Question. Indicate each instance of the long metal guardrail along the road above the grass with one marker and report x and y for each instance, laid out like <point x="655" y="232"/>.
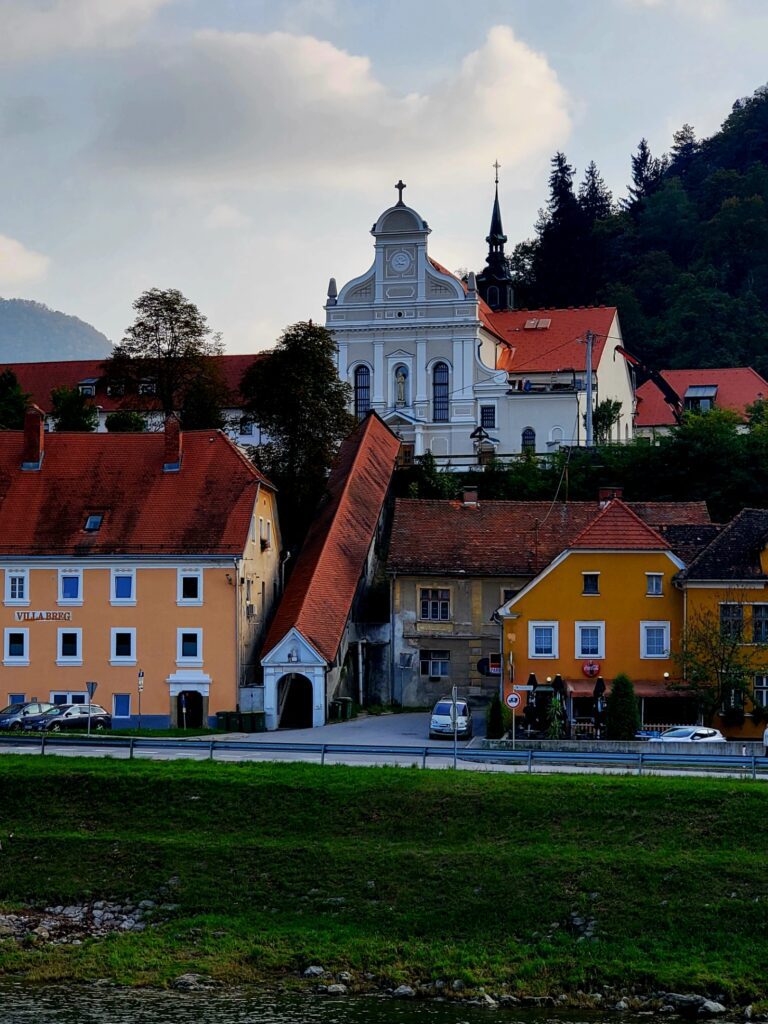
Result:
<point x="527" y="760"/>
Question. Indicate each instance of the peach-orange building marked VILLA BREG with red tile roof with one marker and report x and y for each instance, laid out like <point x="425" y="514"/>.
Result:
<point x="151" y="556"/>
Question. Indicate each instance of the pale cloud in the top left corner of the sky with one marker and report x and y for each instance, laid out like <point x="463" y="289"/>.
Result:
<point x="37" y="28"/>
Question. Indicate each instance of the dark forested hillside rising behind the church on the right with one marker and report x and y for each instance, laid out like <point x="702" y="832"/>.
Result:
<point x="685" y="255"/>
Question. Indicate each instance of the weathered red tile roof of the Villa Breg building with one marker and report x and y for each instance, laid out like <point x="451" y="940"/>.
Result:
<point x="203" y="509"/>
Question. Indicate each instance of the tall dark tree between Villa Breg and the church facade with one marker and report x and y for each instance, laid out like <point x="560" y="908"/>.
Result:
<point x="296" y="398"/>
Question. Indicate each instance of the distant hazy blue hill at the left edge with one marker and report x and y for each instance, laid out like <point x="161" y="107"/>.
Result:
<point x="31" y="332"/>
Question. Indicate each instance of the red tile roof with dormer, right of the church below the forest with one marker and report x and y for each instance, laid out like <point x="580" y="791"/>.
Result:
<point x="738" y="389"/>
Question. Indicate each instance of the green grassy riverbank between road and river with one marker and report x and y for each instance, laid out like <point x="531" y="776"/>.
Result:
<point x="441" y="875"/>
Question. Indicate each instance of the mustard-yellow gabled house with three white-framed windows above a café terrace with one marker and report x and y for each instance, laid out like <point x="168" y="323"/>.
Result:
<point x="606" y="606"/>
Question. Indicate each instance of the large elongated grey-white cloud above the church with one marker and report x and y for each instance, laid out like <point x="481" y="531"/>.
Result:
<point x="271" y="109"/>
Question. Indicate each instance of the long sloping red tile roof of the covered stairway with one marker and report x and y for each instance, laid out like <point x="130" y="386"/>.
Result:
<point x="323" y="586"/>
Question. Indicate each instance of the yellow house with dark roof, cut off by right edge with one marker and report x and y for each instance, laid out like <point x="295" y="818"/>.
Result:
<point x="726" y="591"/>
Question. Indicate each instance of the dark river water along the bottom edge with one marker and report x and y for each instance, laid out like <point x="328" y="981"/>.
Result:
<point x="90" y="1005"/>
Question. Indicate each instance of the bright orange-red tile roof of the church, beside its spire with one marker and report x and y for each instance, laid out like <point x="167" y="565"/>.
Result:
<point x="559" y="347"/>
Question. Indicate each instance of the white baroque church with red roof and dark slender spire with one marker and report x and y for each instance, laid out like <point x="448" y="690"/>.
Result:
<point x="453" y="368"/>
